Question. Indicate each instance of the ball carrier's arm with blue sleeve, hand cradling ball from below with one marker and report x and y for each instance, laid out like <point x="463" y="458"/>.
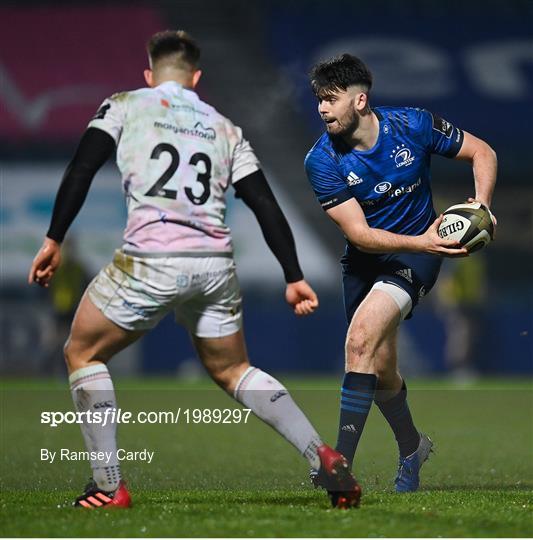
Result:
<point x="338" y="202"/>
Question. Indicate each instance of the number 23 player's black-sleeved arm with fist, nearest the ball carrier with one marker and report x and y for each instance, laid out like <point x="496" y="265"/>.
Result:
<point x="254" y="190"/>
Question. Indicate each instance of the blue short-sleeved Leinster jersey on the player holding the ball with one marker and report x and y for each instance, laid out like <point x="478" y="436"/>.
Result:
<point x="391" y="181"/>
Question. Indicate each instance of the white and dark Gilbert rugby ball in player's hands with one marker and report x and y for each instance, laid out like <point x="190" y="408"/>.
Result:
<point x="467" y="223"/>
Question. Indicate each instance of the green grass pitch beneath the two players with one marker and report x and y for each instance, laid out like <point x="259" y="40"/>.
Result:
<point x="244" y="480"/>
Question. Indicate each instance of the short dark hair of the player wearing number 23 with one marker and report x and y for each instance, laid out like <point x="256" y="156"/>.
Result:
<point x="176" y="47"/>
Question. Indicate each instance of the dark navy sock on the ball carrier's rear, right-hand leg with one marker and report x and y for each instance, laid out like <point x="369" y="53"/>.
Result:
<point x="397" y="413"/>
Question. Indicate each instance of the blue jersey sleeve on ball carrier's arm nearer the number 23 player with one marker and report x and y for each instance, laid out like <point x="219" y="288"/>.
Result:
<point x="325" y="178"/>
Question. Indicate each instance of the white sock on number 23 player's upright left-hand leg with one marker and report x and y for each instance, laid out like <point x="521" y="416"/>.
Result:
<point x="92" y="390"/>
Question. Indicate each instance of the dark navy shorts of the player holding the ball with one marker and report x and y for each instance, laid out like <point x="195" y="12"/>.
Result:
<point x="415" y="273"/>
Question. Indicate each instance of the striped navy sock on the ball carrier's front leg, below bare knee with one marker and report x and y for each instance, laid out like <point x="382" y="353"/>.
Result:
<point x="357" y="394"/>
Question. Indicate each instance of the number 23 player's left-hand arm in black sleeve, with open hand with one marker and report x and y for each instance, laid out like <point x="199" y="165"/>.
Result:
<point x="95" y="148"/>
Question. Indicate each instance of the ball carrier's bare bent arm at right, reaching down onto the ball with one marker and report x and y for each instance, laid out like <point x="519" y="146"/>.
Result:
<point x="484" y="165"/>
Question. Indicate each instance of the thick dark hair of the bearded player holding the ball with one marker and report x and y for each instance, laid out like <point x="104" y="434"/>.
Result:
<point x="338" y="73"/>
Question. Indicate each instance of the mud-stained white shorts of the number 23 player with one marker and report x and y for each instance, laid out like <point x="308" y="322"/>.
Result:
<point x="137" y="292"/>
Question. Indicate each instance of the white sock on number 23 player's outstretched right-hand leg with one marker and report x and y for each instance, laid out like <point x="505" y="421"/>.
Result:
<point x="270" y="401"/>
